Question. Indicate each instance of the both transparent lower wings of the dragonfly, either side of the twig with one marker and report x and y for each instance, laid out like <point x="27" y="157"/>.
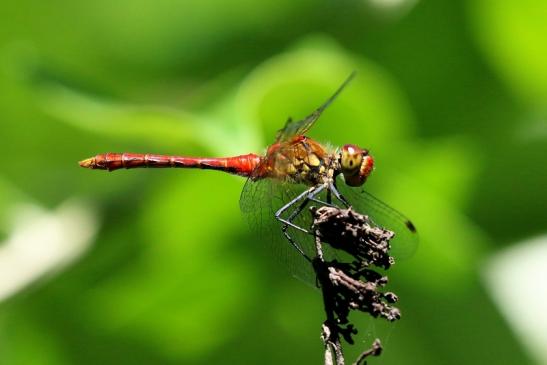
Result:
<point x="262" y="198"/>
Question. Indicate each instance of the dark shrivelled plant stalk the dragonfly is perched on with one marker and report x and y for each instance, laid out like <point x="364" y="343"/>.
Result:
<point x="354" y="285"/>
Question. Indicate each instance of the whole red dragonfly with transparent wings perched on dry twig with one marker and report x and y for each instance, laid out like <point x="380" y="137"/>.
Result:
<point x="294" y="172"/>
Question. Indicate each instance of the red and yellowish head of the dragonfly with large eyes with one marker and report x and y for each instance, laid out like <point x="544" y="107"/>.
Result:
<point x="356" y="164"/>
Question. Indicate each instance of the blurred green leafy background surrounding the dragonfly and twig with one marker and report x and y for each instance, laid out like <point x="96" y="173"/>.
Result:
<point x="158" y="267"/>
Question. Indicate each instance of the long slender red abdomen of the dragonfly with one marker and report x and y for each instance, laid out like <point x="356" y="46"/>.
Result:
<point x="240" y="165"/>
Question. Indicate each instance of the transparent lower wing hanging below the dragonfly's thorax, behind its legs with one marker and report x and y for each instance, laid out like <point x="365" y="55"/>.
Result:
<point x="259" y="202"/>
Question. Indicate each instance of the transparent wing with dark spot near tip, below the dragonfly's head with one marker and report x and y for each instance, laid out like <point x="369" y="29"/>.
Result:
<point x="405" y="242"/>
